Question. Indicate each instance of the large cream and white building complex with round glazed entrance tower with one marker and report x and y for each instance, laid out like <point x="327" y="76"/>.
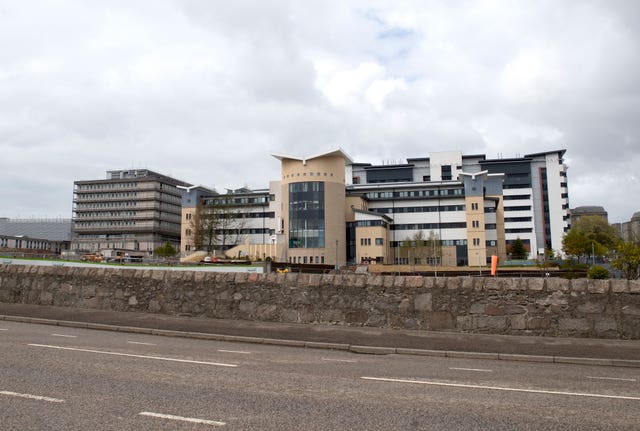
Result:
<point x="446" y="209"/>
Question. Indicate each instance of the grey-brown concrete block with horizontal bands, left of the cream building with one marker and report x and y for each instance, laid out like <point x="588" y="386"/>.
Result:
<point x="135" y="210"/>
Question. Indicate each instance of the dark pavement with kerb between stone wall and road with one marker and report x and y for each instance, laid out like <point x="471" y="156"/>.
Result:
<point x="587" y="351"/>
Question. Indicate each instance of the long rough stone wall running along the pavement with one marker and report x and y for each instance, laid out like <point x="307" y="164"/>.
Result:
<point x="535" y="306"/>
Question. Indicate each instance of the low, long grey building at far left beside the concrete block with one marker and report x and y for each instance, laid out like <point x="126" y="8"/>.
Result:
<point x="34" y="236"/>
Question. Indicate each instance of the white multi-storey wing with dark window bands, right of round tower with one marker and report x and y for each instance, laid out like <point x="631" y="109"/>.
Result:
<point x="533" y="198"/>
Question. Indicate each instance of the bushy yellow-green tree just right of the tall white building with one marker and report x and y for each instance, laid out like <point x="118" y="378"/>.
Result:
<point x="590" y="236"/>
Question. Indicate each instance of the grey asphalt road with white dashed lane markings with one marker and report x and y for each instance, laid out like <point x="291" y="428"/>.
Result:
<point x="56" y="378"/>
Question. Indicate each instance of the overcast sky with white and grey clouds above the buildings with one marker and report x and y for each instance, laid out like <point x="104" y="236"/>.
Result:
<point x="206" y="90"/>
